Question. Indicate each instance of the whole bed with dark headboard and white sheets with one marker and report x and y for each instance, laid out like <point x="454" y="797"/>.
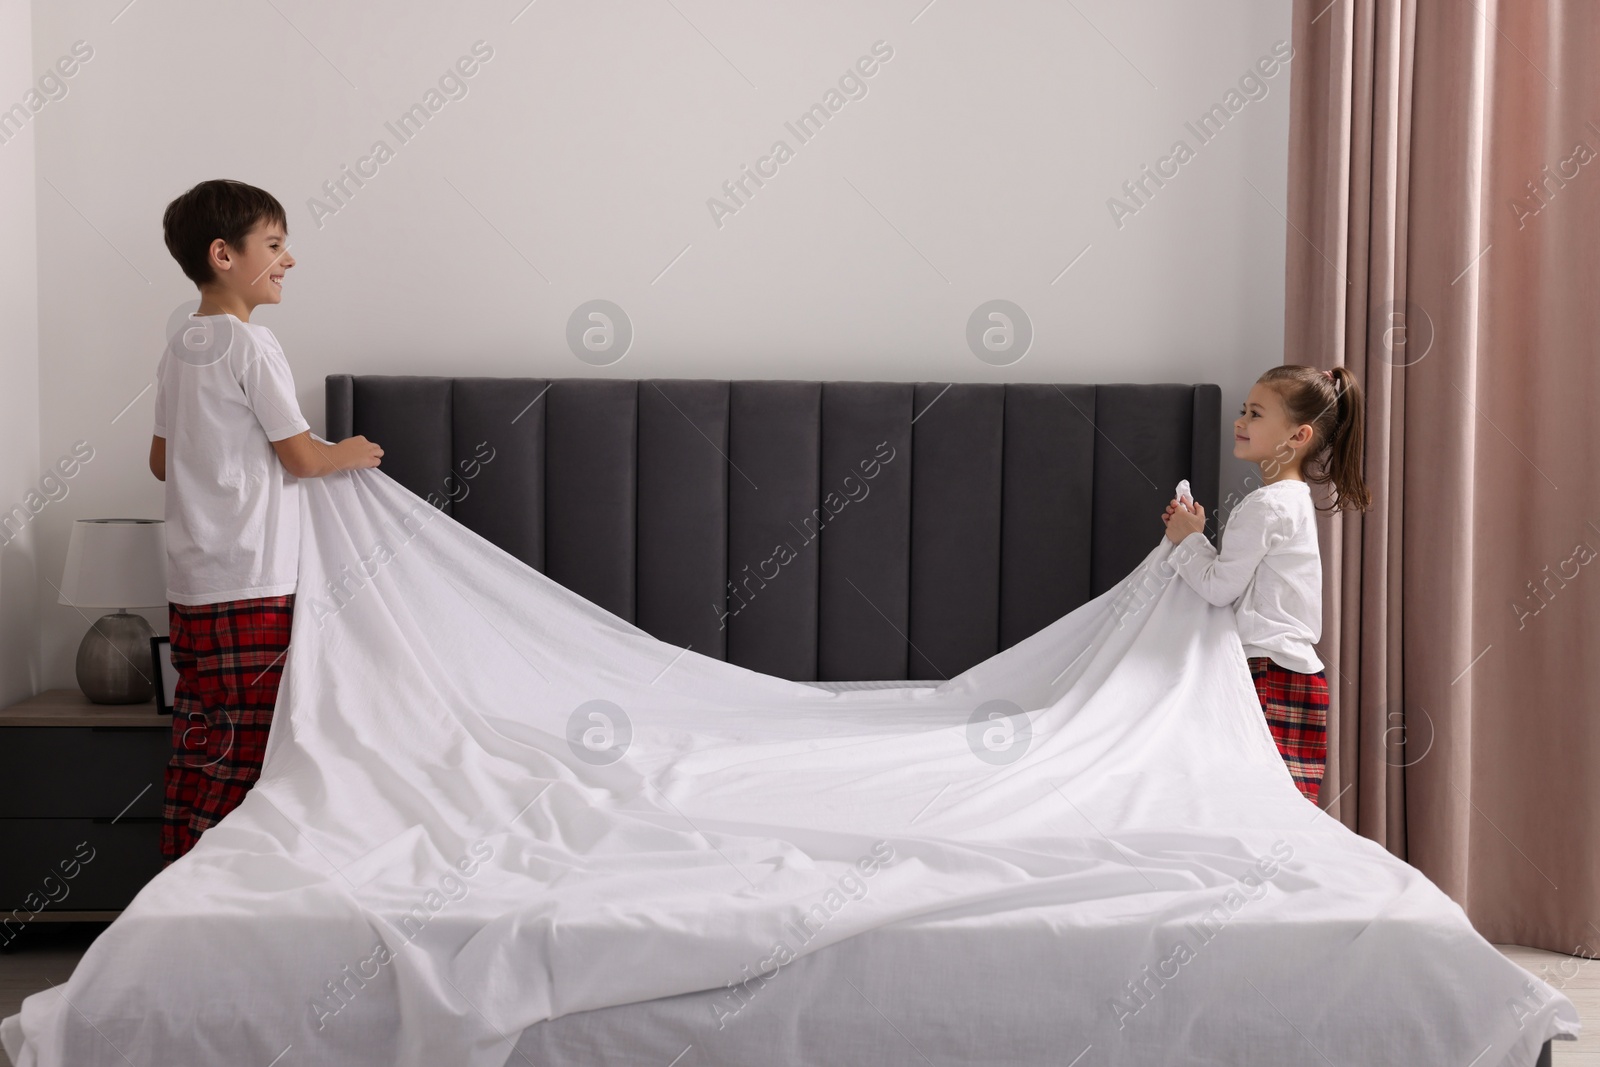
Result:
<point x="876" y="801"/>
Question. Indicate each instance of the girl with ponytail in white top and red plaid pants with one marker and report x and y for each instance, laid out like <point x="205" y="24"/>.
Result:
<point x="1300" y="425"/>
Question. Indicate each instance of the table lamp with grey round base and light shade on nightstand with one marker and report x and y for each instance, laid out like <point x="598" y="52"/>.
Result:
<point x="116" y="564"/>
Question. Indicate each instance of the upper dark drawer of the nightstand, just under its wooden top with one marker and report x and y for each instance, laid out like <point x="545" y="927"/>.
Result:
<point x="82" y="772"/>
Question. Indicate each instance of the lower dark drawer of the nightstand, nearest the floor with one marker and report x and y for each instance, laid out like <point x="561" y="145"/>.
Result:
<point x="76" y="865"/>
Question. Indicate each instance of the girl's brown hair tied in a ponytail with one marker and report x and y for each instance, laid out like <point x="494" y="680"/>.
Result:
<point x="1337" y="412"/>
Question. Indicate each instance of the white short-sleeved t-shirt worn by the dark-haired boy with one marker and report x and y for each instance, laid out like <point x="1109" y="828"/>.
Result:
<point x="223" y="394"/>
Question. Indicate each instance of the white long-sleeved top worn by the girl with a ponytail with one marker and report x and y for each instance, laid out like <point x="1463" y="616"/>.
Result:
<point x="1270" y="570"/>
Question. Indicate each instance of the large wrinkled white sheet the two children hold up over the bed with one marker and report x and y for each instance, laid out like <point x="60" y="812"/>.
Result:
<point x="434" y="857"/>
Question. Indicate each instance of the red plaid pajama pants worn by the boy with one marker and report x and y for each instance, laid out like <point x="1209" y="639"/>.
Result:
<point x="228" y="658"/>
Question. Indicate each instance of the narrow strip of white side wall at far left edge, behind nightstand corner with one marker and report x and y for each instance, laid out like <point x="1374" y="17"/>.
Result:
<point x="20" y="474"/>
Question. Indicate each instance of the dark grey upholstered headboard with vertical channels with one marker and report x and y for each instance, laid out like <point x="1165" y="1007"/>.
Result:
<point x="959" y="519"/>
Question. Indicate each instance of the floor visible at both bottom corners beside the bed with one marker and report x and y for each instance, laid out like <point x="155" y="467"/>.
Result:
<point x="54" y="949"/>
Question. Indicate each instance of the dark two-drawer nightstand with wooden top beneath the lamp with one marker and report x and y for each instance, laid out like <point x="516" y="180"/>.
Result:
<point x="81" y="807"/>
